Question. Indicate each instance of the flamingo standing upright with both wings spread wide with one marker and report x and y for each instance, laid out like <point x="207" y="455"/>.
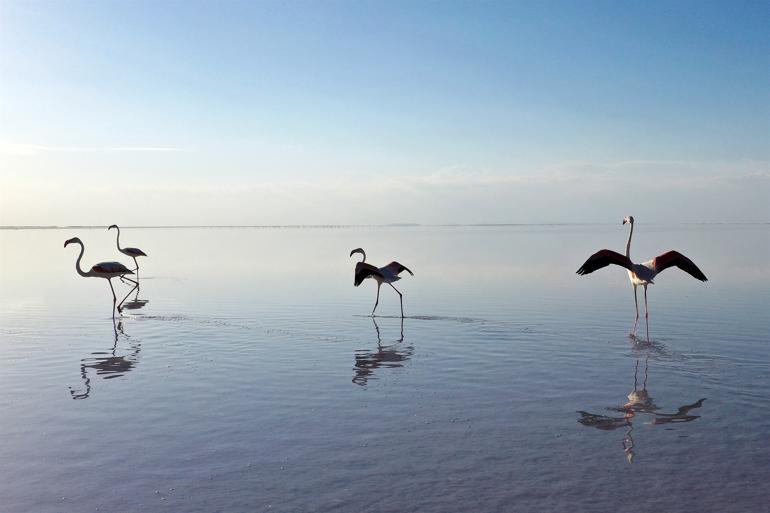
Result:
<point x="641" y="274"/>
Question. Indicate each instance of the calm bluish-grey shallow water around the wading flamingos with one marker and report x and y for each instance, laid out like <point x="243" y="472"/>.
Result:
<point x="247" y="377"/>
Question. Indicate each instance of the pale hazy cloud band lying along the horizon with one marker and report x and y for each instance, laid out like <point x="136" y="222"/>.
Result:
<point x="704" y="191"/>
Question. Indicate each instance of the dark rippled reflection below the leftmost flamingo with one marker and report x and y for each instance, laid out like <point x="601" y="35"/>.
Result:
<point x="108" y="364"/>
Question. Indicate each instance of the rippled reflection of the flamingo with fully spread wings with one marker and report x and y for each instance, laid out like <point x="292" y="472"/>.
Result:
<point x="640" y="407"/>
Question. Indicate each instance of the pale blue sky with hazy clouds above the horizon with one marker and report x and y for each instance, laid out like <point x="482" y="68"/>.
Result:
<point x="375" y="112"/>
